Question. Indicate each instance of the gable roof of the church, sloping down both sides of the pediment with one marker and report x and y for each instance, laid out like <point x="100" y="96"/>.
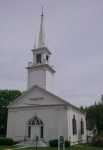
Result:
<point x="45" y="91"/>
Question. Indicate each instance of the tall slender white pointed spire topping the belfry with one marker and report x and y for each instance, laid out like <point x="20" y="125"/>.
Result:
<point x="41" y="41"/>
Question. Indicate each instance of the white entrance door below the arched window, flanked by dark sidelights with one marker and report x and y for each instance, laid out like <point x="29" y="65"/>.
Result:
<point x="35" y="131"/>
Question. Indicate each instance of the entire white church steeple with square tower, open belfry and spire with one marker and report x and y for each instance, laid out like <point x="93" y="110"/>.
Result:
<point x="40" y="71"/>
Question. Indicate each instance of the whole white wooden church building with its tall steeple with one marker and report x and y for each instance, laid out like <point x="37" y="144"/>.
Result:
<point x="39" y="111"/>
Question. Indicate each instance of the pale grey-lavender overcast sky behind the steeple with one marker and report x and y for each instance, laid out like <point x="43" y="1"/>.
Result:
<point x="74" y="31"/>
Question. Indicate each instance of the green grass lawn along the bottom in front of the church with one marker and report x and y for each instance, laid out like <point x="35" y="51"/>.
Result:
<point x="76" y="147"/>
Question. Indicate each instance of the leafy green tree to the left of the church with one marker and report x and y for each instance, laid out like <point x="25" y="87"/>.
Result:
<point x="6" y="96"/>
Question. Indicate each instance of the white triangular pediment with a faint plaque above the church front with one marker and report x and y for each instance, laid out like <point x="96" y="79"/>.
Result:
<point x="36" y="96"/>
